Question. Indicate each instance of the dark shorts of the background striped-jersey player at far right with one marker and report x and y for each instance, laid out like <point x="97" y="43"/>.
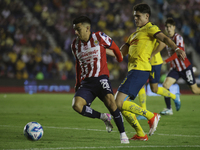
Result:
<point x="186" y="74"/>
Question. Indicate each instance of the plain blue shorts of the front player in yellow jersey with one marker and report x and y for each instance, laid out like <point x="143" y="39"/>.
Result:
<point x="134" y="82"/>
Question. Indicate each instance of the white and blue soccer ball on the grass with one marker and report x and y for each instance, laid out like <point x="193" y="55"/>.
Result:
<point x="33" y="131"/>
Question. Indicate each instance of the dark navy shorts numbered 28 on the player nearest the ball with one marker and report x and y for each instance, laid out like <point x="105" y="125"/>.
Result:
<point x="93" y="87"/>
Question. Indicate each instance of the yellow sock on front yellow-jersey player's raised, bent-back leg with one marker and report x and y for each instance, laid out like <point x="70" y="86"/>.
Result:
<point x="136" y="109"/>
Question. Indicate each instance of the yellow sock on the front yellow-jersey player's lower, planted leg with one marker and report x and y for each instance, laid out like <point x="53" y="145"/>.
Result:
<point x="132" y="120"/>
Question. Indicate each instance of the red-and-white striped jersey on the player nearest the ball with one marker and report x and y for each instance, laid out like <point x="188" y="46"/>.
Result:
<point x="90" y="56"/>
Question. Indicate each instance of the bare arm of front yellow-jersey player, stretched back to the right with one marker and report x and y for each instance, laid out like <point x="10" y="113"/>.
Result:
<point x="162" y="37"/>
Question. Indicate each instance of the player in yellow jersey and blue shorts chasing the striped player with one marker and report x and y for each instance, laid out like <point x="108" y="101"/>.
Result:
<point x="139" y="47"/>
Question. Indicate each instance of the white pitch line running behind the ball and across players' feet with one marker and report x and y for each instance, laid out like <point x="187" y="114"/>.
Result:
<point x="68" y="128"/>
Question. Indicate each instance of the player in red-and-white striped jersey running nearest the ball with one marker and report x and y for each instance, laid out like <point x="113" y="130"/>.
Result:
<point x="92" y="74"/>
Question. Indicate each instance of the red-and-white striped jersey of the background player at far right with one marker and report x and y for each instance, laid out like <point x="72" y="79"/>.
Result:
<point x="175" y="62"/>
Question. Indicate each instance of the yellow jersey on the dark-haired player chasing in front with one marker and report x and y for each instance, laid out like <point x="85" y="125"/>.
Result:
<point x="141" y="44"/>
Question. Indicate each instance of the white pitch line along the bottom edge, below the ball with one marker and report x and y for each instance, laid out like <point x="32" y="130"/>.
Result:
<point x="106" y="147"/>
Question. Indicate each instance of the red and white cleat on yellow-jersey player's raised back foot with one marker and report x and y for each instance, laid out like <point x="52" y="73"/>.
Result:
<point x="153" y="123"/>
